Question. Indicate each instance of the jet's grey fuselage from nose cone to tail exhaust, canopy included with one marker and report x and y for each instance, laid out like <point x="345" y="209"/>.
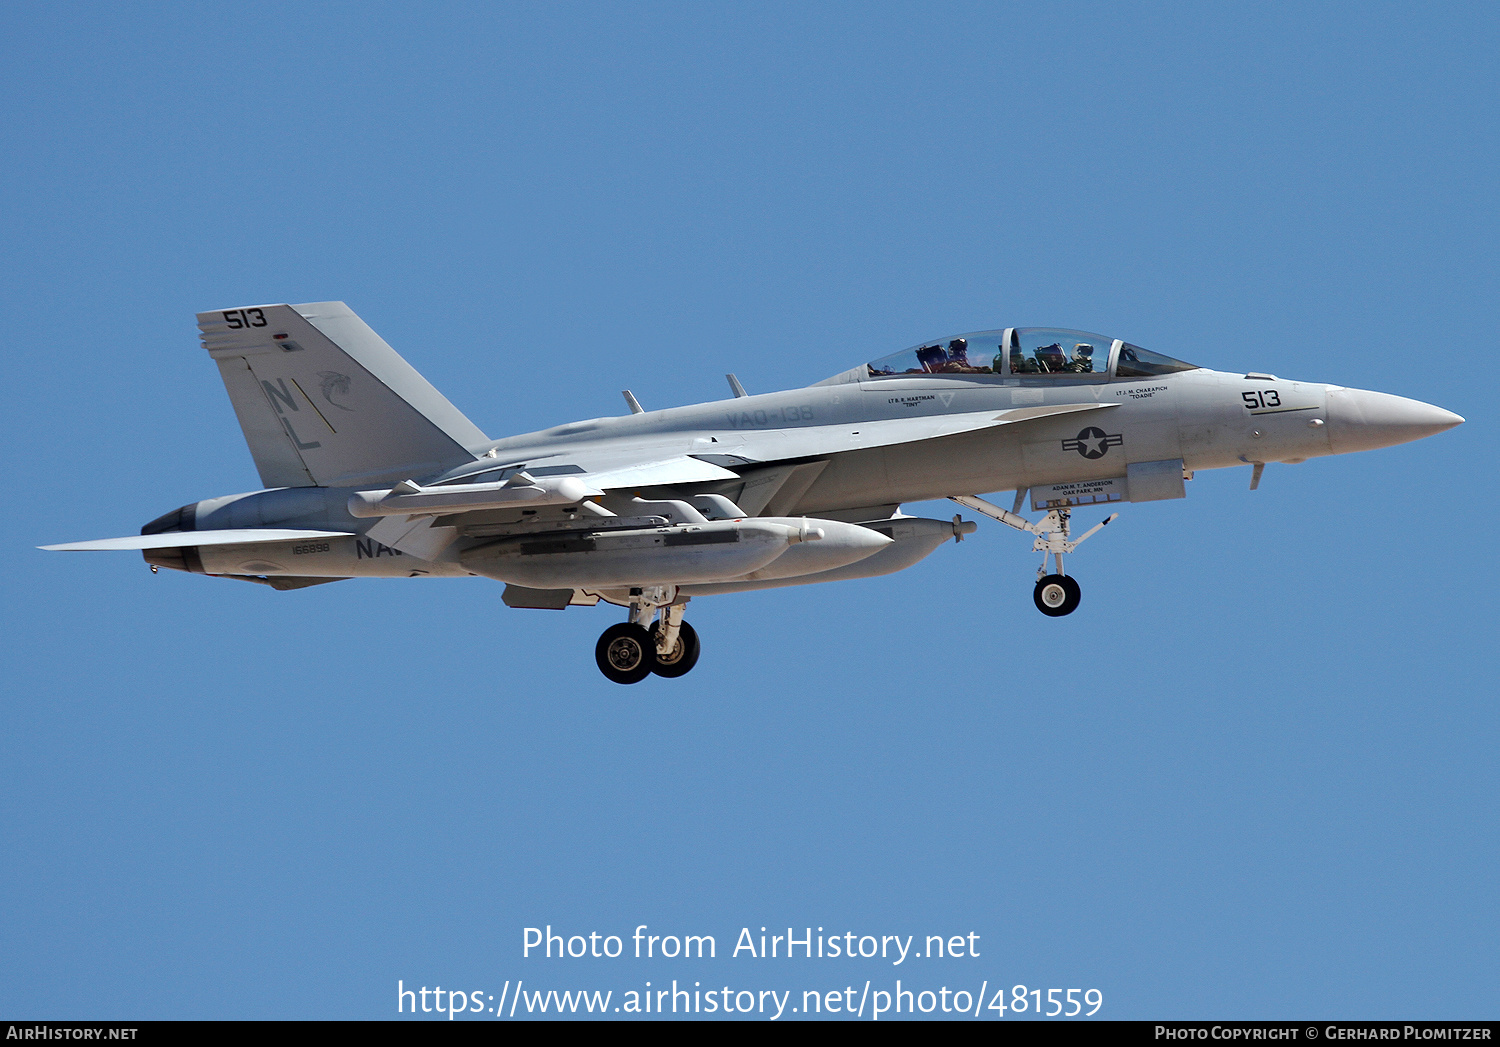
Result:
<point x="1117" y="424"/>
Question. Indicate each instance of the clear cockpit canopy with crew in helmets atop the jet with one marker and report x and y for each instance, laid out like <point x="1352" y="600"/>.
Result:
<point x="1043" y="352"/>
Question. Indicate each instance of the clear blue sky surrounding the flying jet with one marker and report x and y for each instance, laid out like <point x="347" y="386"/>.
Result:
<point x="1253" y="776"/>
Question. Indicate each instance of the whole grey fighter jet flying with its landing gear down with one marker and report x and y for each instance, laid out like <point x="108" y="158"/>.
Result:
<point x="371" y="472"/>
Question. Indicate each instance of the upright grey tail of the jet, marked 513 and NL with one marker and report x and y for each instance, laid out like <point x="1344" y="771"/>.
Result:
<point x="323" y="401"/>
